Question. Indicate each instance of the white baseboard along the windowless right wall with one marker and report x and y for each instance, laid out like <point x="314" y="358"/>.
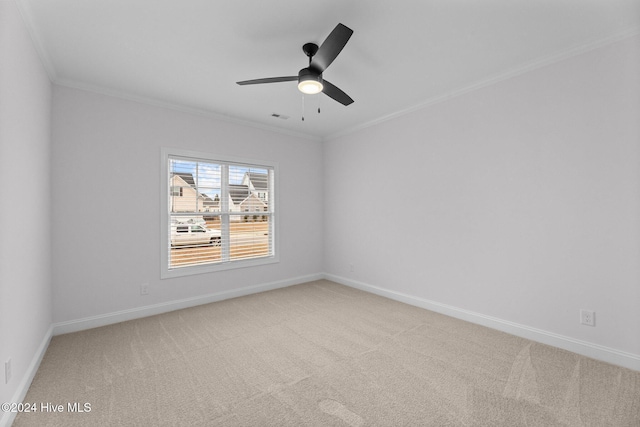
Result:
<point x="584" y="348"/>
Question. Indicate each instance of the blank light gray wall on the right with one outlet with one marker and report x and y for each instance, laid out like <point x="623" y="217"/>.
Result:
<point x="519" y="201"/>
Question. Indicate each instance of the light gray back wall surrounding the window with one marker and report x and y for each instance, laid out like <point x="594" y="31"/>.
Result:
<point x="106" y="202"/>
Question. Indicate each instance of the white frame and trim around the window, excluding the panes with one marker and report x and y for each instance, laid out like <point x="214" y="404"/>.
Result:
<point x="165" y="218"/>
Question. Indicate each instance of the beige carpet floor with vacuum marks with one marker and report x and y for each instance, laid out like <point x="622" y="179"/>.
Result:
<point x="321" y="354"/>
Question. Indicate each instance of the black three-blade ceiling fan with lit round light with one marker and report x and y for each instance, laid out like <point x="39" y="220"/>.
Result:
<point x="310" y="79"/>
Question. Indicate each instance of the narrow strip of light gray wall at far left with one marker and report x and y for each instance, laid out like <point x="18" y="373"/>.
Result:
<point x="25" y="243"/>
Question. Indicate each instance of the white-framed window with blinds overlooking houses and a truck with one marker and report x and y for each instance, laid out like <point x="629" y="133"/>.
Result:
<point x="204" y="225"/>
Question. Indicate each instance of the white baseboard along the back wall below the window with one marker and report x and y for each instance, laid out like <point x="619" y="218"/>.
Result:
<point x="151" y="310"/>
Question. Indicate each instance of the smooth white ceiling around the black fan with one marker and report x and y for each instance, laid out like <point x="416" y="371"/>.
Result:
<point x="403" y="54"/>
